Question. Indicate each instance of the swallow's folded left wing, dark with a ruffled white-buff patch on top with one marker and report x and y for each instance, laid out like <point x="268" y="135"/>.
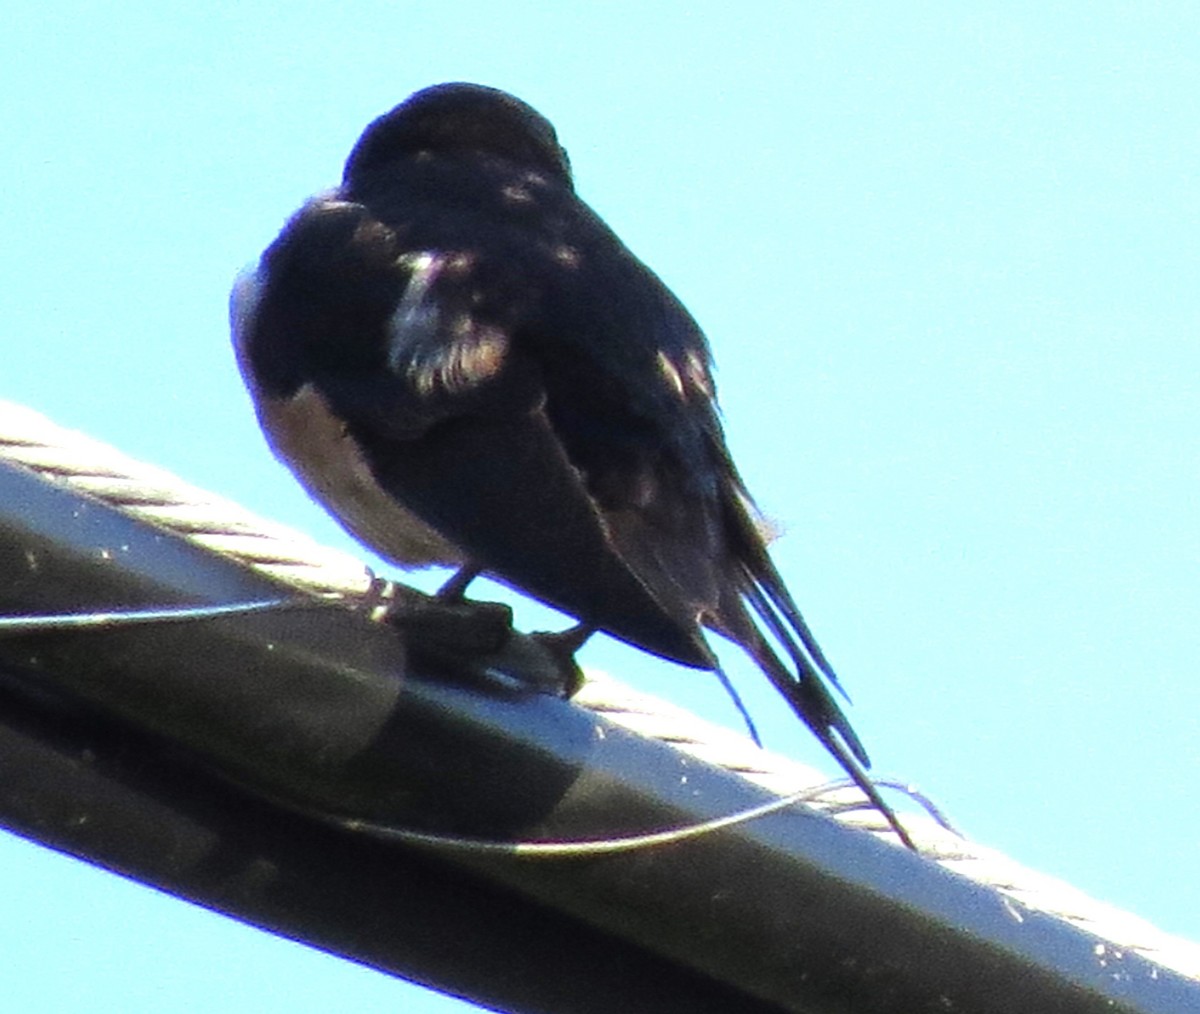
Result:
<point x="455" y="428"/>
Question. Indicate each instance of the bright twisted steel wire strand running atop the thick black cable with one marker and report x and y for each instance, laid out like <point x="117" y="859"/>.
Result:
<point x="95" y="470"/>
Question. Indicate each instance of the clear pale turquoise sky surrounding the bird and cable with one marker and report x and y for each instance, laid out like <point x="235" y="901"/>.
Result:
<point x="947" y="256"/>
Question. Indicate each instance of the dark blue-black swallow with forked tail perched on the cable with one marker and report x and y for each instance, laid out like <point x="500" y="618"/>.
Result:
<point x="467" y="368"/>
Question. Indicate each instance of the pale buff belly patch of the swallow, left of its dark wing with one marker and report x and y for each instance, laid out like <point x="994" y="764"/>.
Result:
<point x="329" y="463"/>
